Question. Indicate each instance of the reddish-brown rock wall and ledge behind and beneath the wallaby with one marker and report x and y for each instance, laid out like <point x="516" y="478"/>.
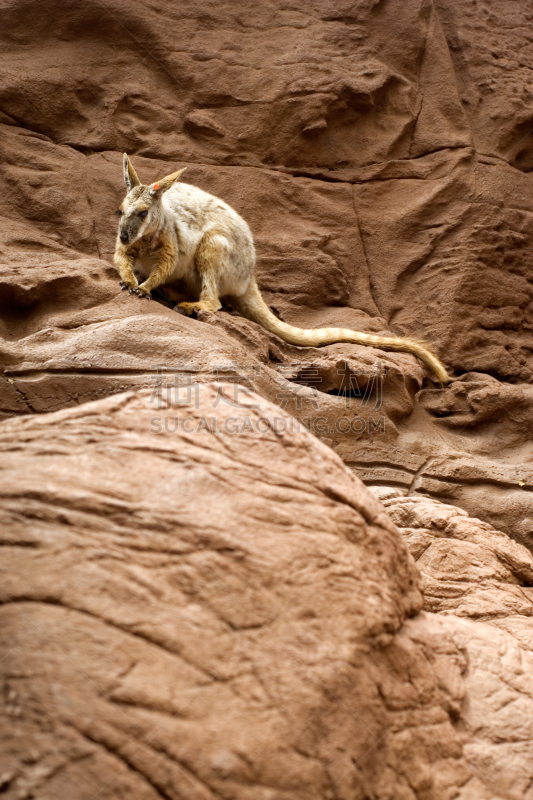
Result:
<point x="380" y="155"/>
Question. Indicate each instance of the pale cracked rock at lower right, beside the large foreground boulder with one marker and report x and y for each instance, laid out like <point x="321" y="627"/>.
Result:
<point x="483" y="583"/>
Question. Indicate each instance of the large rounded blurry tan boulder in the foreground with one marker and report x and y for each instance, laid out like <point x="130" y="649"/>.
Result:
<point x="217" y="612"/>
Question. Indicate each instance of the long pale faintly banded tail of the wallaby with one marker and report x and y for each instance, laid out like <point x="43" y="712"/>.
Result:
<point x="252" y="306"/>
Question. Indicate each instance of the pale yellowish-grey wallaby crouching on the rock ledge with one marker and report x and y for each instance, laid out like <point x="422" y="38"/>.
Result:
<point x="170" y="232"/>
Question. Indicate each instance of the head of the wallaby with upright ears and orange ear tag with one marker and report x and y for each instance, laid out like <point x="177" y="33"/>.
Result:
<point x="140" y="213"/>
